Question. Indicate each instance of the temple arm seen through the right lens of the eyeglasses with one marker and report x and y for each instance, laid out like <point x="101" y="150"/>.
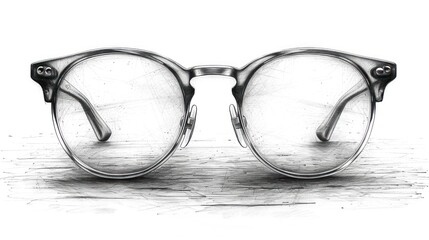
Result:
<point x="327" y="127"/>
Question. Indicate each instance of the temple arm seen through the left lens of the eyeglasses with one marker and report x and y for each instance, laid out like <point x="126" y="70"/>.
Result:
<point x="101" y="129"/>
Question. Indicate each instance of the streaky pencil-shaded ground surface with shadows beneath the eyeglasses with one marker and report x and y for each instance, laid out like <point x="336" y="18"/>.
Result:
<point x="211" y="176"/>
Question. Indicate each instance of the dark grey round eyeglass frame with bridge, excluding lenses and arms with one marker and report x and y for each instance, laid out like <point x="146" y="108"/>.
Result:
<point x="366" y="66"/>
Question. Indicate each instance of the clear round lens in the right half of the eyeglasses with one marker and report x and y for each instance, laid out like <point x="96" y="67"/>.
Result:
<point x="287" y="100"/>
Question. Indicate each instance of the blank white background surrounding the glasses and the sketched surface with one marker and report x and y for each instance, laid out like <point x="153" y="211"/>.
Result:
<point x="219" y="32"/>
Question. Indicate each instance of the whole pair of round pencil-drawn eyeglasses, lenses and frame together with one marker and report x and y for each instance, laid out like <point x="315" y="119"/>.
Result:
<point x="304" y="113"/>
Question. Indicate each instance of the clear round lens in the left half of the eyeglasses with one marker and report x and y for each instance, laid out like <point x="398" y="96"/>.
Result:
<point x="139" y="99"/>
